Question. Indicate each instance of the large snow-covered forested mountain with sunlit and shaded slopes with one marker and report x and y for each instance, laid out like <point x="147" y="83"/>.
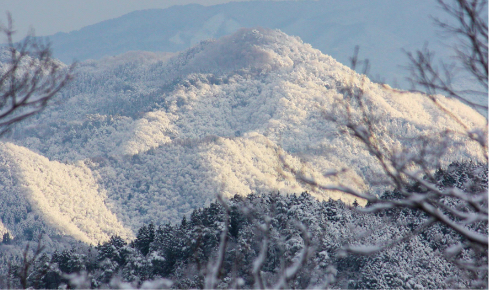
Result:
<point x="146" y="137"/>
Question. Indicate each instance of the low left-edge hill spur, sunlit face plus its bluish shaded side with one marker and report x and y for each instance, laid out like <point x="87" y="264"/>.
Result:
<point x="55" y="195"/>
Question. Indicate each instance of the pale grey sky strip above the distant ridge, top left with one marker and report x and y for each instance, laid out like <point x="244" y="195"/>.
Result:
<point x="51" y="16"/>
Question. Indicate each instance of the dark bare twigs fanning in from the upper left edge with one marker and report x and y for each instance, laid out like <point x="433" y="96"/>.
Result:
<point x="28" y="79"/>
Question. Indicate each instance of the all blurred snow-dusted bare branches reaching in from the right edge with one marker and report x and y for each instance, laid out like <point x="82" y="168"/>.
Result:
<point x="409" y="170"/>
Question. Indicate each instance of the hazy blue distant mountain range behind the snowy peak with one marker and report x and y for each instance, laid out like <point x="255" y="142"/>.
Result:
<point x="382" y="28"/>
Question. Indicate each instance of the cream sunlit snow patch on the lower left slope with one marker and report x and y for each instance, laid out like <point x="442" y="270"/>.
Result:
<point x="67" y="196"/>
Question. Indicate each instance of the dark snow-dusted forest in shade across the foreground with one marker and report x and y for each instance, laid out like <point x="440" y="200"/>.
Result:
<point x="301" y="235"/>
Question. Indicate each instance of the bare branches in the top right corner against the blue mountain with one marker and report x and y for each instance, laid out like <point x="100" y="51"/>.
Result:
<point x="468" y="25"/>
